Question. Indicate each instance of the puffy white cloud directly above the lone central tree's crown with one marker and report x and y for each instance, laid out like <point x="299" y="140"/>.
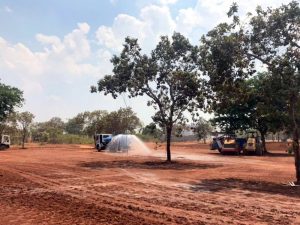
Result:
<point x="153" y="21"/>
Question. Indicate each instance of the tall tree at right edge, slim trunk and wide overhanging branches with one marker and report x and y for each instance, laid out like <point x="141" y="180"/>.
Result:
<point x="230" y="52"/>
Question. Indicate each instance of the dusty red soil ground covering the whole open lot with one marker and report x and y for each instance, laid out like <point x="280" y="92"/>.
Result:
<point x="70" y="184"/>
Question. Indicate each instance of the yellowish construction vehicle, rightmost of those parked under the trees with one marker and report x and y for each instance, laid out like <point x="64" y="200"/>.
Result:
<point x="254" y="144"/>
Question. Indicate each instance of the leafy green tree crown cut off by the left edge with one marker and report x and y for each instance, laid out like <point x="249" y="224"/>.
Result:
<point x="10" y="97"/>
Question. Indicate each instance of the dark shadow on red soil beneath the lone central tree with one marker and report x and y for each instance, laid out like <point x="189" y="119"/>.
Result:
<point x="161" y="165"/>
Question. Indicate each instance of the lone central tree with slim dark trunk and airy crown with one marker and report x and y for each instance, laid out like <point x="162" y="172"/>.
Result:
<point x="168" y="76"/>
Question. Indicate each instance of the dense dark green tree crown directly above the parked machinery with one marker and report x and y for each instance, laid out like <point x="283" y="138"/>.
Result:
<point x="261" y="108"/>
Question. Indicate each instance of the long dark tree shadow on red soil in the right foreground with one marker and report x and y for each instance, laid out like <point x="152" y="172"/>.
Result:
<point x="217" y="185"/>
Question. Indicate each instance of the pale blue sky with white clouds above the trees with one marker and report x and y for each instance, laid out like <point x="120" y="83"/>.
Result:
<point x="55" y="50"/>
